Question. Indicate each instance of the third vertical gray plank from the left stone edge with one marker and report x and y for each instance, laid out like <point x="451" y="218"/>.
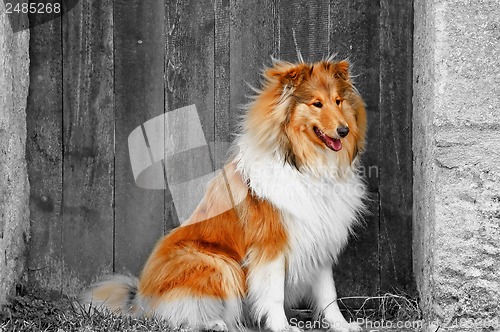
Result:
<point x="139" y="96"/>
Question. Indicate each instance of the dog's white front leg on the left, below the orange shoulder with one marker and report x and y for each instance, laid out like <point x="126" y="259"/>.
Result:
<point x="266" y="293"/>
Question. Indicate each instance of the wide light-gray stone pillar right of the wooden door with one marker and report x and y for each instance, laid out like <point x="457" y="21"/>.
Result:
<point x="456" y="158"/>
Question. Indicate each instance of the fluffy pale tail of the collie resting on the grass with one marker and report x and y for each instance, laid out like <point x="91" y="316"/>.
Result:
<point x="117" y="294"/>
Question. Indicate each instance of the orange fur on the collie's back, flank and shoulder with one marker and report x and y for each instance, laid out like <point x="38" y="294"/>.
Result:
<point x="205" y="258"/>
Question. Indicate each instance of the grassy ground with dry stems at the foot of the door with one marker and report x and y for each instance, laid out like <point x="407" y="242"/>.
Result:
<point x="35" y="312"/>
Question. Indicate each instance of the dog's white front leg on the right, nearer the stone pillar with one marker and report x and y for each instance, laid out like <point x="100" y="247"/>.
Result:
<point x="325" y="295"/>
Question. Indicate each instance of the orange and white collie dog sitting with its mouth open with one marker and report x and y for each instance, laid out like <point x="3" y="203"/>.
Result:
<point x="273" y="222"/>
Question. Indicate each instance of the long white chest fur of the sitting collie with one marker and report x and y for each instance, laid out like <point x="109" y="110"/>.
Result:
<point x="318" y="213"/>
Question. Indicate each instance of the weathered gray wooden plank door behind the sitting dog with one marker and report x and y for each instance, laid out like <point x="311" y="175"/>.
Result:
<point x="105" y="67"/>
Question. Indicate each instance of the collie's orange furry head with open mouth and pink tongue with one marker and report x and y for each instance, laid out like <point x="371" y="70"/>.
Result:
<point x="316" y="114"/>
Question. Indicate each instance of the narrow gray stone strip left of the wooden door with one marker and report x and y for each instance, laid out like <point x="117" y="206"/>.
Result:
<point x="14" y="188"/>
